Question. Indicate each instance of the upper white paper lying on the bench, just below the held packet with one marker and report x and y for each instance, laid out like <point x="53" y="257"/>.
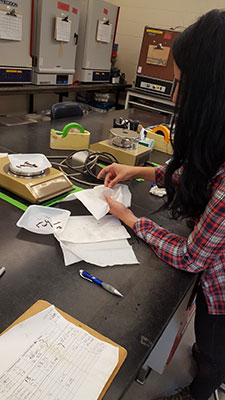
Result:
<point x="86" y="229"/>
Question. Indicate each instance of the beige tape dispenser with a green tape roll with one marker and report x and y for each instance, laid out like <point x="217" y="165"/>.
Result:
<point x="72" y="137"/>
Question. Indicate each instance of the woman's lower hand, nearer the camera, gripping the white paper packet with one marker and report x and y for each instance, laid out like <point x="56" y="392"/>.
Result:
<point x="120" y="211"/>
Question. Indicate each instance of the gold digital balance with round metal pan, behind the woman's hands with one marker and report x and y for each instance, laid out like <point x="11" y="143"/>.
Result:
<point x="124" y="145"/>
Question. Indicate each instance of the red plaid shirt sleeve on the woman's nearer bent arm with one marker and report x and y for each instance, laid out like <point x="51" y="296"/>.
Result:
<point x="203" y="246"/>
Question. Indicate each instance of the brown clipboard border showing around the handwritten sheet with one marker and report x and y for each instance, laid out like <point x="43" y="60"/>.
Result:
<point x="41" y="305"/>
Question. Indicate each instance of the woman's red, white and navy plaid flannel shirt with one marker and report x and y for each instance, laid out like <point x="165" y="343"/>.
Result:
<point x="203" y="250"/>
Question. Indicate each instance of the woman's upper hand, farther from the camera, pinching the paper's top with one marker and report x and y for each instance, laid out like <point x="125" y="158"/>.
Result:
<point x="115" y="173"/>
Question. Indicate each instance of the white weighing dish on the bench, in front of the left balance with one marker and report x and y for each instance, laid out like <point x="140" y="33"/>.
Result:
<point x="44" y="220"/>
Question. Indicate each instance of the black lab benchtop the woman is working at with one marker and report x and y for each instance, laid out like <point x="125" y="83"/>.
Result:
<point x="35" y="269"/>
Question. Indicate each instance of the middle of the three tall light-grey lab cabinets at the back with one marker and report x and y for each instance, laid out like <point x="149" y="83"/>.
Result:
<point x="55" y="35"/>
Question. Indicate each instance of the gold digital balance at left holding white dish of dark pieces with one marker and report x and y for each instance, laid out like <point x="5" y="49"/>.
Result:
<point x="35" y="181"/>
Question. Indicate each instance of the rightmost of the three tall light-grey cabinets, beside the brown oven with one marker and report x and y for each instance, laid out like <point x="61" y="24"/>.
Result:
<point x="98" y="21"/>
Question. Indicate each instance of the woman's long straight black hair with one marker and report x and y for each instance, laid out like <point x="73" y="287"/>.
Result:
<point x="199" y="132"/>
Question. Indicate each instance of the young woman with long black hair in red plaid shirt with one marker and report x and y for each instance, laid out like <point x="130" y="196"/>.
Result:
<point x="195" y="184"/>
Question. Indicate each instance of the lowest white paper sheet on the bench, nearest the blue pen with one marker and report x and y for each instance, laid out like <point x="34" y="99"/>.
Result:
<point x="103" y="254"/>
